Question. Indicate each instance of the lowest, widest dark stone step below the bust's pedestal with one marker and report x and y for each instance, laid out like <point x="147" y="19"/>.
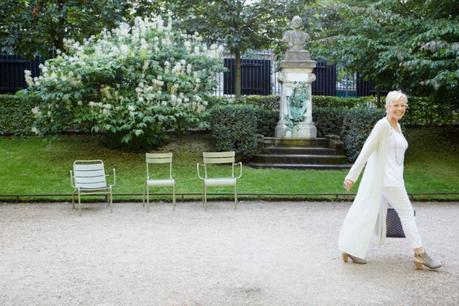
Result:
<point x="300" y="159"/>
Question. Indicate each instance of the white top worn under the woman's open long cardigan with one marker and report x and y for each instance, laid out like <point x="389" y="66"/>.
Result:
<point x="393" y="172"/>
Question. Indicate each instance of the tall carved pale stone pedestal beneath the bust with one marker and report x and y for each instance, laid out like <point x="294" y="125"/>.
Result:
<point x="296" y="69"/>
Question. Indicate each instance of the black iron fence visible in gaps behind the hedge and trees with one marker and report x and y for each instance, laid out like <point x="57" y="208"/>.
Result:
<point x="259" y="76"/>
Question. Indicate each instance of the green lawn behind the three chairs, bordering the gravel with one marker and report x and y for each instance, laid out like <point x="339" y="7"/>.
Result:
<point x="30" y="165"/>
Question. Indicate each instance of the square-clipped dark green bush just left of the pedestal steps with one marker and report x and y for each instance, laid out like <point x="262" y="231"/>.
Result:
<point x="234" y="128"/>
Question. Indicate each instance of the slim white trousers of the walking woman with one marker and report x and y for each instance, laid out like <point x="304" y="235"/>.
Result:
<point x="398" y="199"/>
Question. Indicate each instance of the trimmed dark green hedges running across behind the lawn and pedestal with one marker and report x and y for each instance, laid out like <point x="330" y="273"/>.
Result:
<point x="235" y="126"/>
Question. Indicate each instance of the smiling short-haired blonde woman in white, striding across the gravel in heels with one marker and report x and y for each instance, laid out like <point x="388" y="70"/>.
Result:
<point x="382" y="183"/>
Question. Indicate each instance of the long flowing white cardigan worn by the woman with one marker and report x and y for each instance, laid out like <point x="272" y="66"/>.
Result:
<point x="367" y="215"/>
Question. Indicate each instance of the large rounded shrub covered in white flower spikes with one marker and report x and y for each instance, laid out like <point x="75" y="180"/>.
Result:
<point x="131" y="83"/>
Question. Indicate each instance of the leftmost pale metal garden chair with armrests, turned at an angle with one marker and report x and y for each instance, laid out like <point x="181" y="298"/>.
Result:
<point x="88" y="178"/>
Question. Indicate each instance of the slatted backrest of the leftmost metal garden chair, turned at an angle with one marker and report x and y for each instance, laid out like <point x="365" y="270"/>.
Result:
<point x="89" y="174"/>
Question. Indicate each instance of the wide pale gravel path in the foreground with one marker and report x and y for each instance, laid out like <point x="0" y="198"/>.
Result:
<point x="264" y="253"/>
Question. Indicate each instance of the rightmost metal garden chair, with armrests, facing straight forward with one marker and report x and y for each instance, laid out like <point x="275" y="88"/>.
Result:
<point x="219" y="158"/>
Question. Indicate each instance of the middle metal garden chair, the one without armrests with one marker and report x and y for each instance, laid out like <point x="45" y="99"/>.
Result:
<point x="158" y="158"/>
